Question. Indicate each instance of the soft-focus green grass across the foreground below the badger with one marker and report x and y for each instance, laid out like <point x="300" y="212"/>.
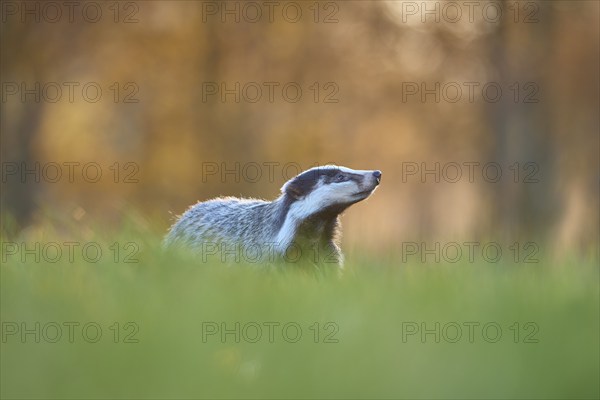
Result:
<point x="169" y="297"/>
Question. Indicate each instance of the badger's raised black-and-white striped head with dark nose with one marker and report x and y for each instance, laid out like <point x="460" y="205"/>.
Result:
<point x="330" y="188"/>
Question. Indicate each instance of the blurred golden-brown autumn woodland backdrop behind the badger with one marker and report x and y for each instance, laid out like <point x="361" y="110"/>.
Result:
<point x="164" y="97"/>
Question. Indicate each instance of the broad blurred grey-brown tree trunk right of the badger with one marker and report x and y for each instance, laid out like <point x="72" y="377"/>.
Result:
<point x="522" y="130"/>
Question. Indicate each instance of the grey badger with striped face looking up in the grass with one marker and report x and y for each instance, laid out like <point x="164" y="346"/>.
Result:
<point x="302" y="225"/>
